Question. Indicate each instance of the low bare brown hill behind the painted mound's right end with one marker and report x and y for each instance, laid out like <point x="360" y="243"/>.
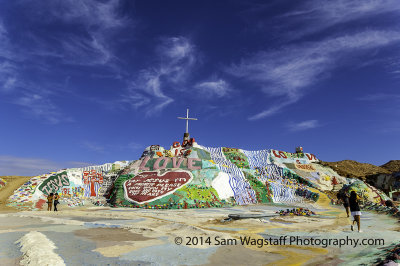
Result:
<point x="350" y="168"/>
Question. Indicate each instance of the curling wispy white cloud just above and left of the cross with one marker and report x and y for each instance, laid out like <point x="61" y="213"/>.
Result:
<point x="175" y="58"/>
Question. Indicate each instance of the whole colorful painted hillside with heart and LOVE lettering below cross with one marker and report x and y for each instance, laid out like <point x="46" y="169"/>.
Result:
<point x="188" y="175"/>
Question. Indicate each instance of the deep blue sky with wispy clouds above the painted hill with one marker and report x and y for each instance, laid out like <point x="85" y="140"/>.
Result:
<point x="90" y="82"/>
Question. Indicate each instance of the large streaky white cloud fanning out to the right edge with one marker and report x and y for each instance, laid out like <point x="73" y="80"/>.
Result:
<point x="291" y="71"/>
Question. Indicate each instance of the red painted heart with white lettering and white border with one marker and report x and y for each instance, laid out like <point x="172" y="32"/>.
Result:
<point x="149" y="186"/>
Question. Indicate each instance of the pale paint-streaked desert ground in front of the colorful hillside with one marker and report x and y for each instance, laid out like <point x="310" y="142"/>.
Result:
<point x="92" y="235"/>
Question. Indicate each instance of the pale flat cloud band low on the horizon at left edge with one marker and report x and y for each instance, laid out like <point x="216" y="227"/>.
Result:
<point x="12" y="165"/>
